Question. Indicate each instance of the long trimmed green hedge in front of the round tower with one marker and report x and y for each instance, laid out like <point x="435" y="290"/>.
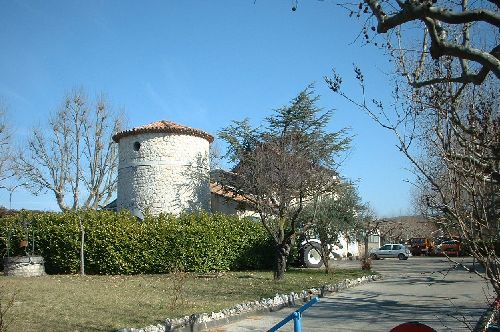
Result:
<point x="118" y="243"/>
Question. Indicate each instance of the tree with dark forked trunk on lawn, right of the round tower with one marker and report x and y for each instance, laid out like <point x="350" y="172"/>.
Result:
<point x="279" y="168"/>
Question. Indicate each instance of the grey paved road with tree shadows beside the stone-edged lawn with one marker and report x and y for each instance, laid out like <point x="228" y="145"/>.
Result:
<point x="428" y="290"/>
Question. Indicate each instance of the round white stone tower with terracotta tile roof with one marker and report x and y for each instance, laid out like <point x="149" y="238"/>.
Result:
<point x="163" y="168"/>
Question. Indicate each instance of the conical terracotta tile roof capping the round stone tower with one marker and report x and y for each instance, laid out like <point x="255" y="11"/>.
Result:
<point x="163" y="126"/>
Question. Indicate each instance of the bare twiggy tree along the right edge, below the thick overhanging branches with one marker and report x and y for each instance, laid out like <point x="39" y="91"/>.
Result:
<point x="450" y="132"/>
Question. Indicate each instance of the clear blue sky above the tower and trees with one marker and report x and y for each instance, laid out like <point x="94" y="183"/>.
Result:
<point x="200" y="64"/>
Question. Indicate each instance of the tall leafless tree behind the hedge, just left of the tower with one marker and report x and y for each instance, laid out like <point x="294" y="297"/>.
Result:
<point x="75" y="156"/>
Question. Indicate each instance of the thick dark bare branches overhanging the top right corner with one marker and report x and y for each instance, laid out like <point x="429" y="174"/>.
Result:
<point x="428" y="30"/>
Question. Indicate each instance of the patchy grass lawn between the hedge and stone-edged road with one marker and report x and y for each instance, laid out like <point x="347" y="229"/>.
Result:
<point x="107" y="303"/>
